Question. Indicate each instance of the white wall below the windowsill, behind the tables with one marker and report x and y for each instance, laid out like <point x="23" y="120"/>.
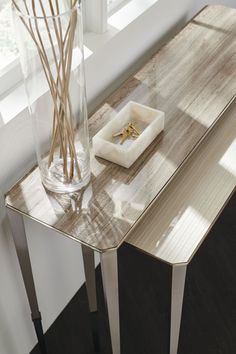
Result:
<point x="57" y="262"/>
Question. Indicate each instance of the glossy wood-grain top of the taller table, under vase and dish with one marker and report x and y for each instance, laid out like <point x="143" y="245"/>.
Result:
<point x="193" y="80"/>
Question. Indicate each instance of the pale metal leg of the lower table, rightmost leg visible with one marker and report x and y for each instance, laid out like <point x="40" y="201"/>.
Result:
<point x="177" y="295"/>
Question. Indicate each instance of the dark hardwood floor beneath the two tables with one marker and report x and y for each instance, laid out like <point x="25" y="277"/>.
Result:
<point x="209" y="313"/>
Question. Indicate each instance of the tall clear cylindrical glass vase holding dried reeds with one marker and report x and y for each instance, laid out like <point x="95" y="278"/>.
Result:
<point x="50" y="38"/>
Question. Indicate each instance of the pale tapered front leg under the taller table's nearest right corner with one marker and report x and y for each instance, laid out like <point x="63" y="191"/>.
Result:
<point x="109" y="267"/>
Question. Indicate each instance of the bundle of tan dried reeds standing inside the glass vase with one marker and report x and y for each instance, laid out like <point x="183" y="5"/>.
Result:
<point x="63" y="133"/>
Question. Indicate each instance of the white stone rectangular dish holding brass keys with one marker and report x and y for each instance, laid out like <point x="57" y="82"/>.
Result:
<point x="148" y="120"/>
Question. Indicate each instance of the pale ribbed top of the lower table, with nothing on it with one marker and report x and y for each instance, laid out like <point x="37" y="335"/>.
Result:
<point x="181" y="218"/>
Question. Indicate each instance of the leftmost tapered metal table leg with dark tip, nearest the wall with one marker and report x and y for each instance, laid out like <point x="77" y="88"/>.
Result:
<point x="20" y="241"/>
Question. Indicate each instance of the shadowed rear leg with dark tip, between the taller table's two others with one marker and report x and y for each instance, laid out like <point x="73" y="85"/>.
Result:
<point x="89" y="269"/>
